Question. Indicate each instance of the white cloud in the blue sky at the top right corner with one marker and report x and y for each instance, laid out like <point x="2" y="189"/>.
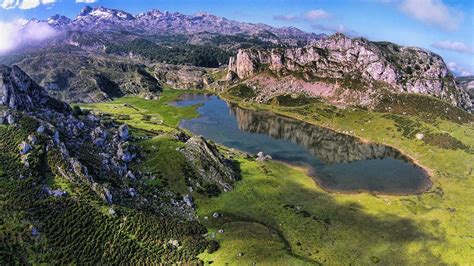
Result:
<point x="433" y="12"/>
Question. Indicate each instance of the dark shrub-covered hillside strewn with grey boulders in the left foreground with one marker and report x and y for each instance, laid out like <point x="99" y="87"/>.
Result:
<point x="74" y="190"/>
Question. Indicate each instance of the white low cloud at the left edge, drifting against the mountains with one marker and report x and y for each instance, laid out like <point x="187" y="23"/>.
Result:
<point x="20" y="33"/>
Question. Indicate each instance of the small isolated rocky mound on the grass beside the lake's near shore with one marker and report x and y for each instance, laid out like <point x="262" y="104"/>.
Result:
<point x="209" y="163"/>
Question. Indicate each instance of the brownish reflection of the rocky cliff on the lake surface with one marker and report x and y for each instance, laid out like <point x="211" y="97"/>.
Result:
<point x="329" y="146"/>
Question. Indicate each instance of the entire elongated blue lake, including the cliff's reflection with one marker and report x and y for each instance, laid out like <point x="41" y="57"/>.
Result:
<point x="336" y="161"/>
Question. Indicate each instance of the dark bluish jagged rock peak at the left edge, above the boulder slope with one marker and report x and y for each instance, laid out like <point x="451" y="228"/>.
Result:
<point x="18" y="91"/>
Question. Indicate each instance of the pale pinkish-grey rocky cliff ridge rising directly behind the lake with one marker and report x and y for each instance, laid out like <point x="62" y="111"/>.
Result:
<point x="346" y="71"/>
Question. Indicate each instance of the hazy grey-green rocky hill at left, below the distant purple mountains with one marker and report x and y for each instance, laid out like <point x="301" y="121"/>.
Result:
<point x="73" y="75"/>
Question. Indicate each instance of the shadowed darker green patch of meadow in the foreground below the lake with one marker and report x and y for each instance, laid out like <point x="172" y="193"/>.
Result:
<point x="317" y="229"/>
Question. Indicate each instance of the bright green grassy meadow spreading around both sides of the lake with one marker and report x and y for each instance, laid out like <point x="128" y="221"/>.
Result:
<point x="278" y="215"/>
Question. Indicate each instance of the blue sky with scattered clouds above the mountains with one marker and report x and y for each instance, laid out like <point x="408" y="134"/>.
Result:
<point x="443" y="26"/>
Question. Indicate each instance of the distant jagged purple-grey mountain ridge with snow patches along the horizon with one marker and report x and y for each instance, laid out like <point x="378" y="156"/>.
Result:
<point x="155" y="22"/>
